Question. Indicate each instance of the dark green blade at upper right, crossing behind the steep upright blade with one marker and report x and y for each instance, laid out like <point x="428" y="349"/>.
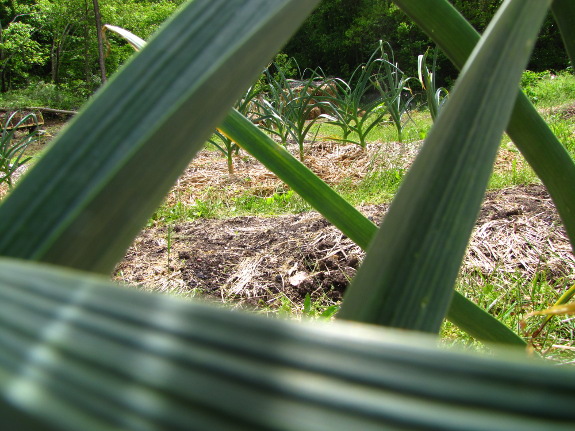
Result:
<point x="532" y="136"/>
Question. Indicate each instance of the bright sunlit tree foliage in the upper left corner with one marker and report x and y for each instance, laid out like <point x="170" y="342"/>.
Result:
<point x="54" y="41"/>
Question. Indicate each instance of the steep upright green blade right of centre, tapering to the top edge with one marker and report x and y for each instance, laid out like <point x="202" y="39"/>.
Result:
<point x="408" y="275"/>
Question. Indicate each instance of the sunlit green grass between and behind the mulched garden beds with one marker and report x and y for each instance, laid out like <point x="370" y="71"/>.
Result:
<point x="380" y="184"/>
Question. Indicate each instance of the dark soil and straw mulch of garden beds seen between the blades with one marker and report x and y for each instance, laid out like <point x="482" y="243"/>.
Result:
<point x="267" y="260"/>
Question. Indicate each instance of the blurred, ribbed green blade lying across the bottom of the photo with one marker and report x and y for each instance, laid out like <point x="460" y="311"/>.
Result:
<point x="80" y="353"/>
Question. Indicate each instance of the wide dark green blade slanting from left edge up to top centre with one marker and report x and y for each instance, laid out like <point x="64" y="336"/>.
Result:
<point x="87" y="198"/>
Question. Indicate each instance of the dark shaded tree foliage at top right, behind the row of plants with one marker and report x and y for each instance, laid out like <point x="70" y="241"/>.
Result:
<point x="341" y="34"/>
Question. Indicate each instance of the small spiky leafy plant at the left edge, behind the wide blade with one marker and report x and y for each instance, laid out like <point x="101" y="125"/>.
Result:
<point x="12" y="149"/>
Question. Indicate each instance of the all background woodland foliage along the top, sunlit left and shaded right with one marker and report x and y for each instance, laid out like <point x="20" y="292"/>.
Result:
<point x="53" y="42"/>
